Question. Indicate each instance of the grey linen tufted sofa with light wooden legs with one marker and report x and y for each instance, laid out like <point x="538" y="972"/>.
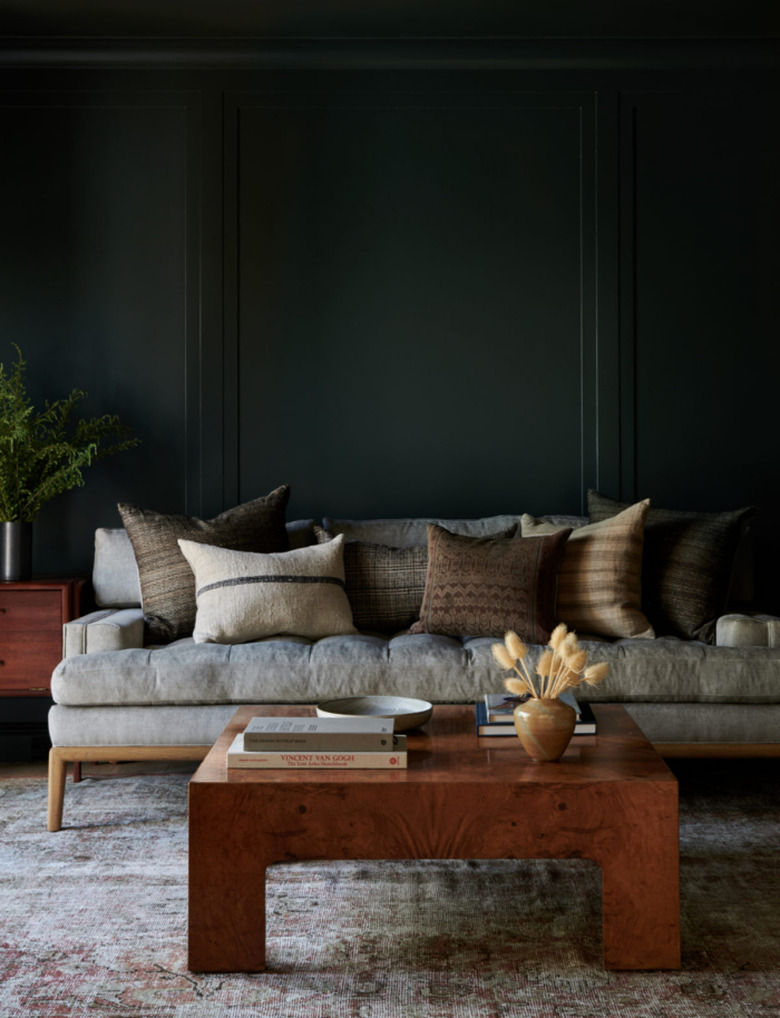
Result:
<point x="117" y="699"/>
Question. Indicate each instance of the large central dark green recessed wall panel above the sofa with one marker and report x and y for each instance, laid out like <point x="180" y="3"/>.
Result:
<point x="411" y="297"/>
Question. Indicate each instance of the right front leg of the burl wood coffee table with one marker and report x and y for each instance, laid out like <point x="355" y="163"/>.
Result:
<point x="641" y="895"/>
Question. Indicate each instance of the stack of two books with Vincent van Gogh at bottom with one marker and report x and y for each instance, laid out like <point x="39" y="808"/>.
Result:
<point x="301" y="744"/>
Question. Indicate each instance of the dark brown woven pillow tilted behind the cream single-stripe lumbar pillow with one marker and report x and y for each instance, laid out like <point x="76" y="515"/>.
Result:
<point x="168" y="583"/>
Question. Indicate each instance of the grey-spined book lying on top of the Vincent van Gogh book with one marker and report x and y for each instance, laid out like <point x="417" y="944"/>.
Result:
<point x="319" y="734"/>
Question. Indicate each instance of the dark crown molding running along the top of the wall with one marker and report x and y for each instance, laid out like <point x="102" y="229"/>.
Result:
<point x="392" y="54"/>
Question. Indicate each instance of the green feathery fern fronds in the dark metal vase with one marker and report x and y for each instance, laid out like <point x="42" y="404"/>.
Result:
<point x="44" y="453"/>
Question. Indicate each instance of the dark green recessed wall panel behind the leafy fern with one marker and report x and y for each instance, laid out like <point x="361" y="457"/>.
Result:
<point x="94" y="210"/>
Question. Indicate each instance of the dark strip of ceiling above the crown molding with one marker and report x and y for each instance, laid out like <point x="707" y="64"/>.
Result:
<point x="389" y="19"/>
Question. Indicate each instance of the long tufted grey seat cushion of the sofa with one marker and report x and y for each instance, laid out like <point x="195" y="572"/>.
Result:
<point x="440" y="669"/>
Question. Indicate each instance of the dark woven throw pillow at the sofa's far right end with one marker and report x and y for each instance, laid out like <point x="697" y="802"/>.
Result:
<point x="688" y="563"/>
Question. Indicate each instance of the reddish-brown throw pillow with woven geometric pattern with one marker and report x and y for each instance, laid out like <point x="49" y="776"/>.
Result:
<point x="482" y="587"/>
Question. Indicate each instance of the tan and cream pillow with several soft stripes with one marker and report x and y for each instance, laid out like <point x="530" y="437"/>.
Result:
<point x="600" y="581"/>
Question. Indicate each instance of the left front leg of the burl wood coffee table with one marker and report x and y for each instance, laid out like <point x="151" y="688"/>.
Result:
<point x="227" y="930"/>
